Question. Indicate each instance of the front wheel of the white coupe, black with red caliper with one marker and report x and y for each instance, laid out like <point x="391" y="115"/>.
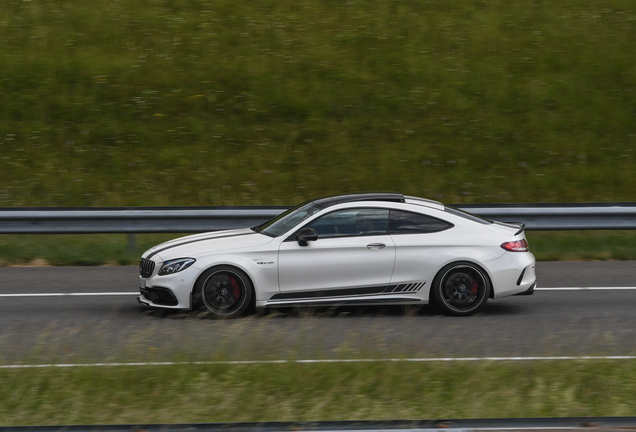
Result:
<point x="225" y="291"/>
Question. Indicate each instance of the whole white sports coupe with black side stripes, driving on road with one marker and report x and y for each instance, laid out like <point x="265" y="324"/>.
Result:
<point x="360" y="249"/>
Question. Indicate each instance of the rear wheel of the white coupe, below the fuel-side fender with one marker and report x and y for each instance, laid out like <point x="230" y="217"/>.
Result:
<point x="461" y="289"/>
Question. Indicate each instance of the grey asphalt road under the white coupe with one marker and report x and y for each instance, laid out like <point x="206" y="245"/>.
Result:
<point x="107" y="328"/>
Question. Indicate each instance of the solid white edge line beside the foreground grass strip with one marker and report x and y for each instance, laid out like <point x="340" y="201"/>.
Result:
<point x="268" y="362"/>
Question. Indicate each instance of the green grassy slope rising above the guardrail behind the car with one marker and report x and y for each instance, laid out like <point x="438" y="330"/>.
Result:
<point x="201" y="102"/>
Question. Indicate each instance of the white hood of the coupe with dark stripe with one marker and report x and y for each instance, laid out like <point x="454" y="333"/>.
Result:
<point x="207" y="243"/>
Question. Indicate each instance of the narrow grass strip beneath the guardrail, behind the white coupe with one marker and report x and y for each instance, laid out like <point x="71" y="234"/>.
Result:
<point x="116" y="249"/>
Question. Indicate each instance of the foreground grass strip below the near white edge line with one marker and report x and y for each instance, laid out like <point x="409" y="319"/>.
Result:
<point x="305" y="392"/>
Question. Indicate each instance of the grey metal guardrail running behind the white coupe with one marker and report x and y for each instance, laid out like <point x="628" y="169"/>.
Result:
<point x="48" y="220"/>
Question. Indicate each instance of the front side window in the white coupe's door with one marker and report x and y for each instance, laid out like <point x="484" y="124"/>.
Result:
<point x="351" y="222"/>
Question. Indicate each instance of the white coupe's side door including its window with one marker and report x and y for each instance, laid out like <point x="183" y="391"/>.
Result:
<point x="353" y="254"/>
